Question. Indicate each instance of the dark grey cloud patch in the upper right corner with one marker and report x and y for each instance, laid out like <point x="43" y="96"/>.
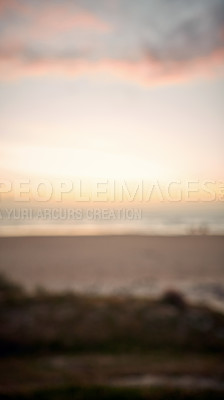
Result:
<point x="197" y="32"/>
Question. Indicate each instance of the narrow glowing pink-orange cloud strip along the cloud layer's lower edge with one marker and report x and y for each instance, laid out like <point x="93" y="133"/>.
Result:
<point x="146" y="71"/>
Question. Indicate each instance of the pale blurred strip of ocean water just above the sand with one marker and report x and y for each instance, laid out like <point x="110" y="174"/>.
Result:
<point x="176" y="220"/>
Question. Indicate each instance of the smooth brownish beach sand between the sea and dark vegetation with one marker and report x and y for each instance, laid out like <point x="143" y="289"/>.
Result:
<point x="111" y="262"/>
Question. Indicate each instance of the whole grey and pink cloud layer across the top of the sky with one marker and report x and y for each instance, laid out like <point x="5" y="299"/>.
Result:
<point x="158" y="42"/>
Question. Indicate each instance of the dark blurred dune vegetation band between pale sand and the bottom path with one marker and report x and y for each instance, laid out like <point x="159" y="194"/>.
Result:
<point x="45" y="323"/>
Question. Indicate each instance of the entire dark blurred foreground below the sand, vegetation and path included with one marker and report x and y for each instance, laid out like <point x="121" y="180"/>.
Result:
<point x="69" y="346"/>
